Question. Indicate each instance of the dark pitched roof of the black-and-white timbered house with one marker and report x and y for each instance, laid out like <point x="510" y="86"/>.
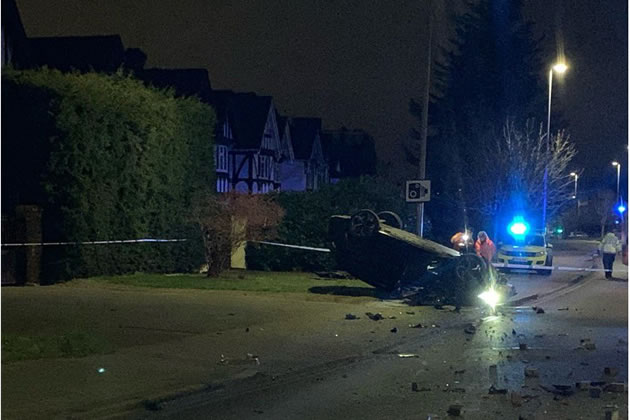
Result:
<point x="248" y="114"/>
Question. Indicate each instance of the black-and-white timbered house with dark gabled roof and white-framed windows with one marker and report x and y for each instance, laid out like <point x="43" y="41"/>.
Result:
<point x="250" y="133"/>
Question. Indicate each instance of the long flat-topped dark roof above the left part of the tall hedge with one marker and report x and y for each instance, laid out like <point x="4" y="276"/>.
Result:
<point x="84" y="53"/>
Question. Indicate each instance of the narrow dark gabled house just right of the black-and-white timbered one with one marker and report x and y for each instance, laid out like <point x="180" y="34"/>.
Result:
<point x="307" y="148"/>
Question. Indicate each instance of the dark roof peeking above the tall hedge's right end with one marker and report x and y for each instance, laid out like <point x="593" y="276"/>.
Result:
<point x="186" y="82"/>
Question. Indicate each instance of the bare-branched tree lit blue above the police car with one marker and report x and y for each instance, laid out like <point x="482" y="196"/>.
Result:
<point x="513" y="163"/>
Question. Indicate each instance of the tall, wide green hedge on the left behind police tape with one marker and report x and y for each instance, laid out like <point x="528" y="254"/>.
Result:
<point x="106" y="158"/>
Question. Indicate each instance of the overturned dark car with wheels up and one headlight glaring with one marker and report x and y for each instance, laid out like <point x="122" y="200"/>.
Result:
<point x="374" y="248"/>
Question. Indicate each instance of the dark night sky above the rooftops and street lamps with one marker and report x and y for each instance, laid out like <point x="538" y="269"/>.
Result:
<point x="357" y="62"/>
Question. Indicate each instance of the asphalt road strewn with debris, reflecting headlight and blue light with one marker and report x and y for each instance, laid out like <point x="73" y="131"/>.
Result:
<point x="582" y="331"/>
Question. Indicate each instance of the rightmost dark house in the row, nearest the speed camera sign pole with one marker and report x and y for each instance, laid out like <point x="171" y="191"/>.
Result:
<point x="349" y="153"/>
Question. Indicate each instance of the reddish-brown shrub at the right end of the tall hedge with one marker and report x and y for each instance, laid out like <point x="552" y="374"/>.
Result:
<point x="227" y="220"/>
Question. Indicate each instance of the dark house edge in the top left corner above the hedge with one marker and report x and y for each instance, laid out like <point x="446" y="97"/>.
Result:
<point x="15" y="49"/>
